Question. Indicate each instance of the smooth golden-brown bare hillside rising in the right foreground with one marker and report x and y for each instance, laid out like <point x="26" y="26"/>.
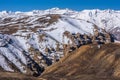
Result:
<point x="87" y="63"/>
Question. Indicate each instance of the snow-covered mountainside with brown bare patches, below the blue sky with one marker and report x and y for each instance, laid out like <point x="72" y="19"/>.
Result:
<point x="24" y="34"/>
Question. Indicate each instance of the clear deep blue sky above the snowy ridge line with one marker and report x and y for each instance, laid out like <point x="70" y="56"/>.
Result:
<point x="29" y="5"/>
